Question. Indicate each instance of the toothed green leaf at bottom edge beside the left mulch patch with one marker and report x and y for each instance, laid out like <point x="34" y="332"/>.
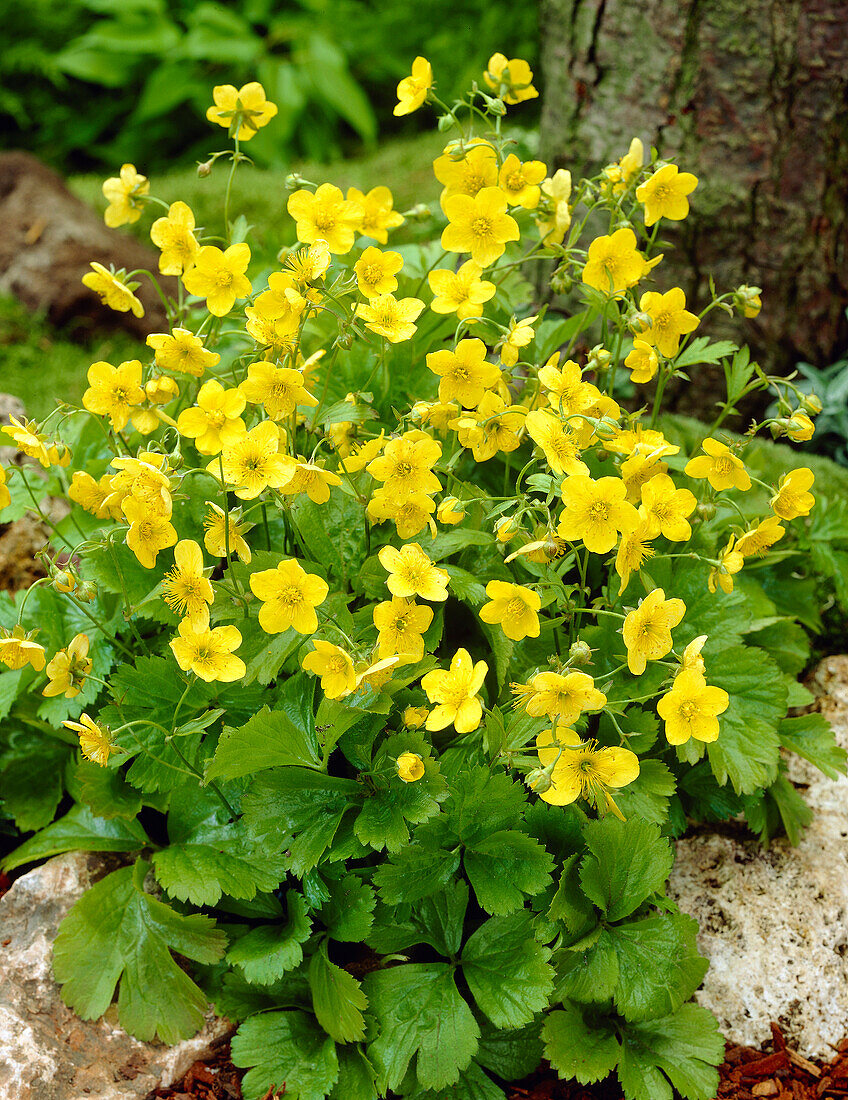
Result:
<point x="285" y="1050"/>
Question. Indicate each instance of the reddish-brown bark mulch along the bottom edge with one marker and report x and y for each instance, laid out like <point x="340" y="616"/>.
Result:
<point x="747" y="1074"/>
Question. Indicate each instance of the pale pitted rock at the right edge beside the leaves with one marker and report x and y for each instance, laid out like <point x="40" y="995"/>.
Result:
<point x="775" y="922"/>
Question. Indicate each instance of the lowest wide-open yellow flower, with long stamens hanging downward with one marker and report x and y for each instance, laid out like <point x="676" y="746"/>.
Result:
<point x="582" y="771"/>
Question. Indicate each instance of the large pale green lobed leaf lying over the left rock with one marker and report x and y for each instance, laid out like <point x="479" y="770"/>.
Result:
<point x="118" y="933"/>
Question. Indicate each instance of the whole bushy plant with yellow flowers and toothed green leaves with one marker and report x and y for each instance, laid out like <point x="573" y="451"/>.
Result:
<point x="390" y="648"/>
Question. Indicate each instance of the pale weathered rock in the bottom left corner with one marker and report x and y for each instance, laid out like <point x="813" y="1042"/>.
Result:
<point x="47" y="1053"/>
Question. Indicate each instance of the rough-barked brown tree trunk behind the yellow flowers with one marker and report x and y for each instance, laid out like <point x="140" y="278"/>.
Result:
<point x="753" y="97"/>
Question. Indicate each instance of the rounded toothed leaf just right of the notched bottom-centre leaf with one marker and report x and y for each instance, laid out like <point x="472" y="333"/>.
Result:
<point x="508" y="971"/>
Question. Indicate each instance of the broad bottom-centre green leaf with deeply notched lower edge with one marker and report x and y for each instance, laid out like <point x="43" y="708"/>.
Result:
<point x="421" y="1014"/>
